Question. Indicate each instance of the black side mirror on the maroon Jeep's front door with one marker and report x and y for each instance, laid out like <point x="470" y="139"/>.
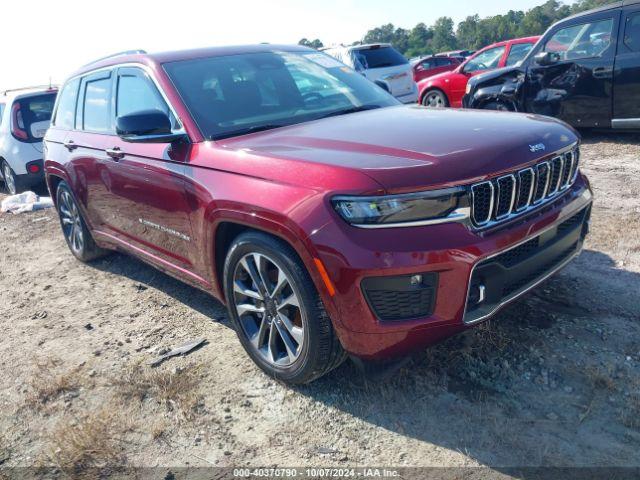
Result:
<point x="147" y="126"/>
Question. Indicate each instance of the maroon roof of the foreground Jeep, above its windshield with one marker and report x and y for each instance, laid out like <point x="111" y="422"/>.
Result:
<point x="174" y="56"/>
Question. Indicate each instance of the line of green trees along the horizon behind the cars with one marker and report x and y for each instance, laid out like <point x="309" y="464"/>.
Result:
<point x="473" y="32"/>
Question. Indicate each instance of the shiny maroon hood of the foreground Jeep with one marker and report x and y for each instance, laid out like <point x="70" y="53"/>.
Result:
<point x="406" y="148"/>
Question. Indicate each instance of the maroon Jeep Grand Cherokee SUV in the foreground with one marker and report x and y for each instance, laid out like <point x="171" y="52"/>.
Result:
<point x="328" y="217"/>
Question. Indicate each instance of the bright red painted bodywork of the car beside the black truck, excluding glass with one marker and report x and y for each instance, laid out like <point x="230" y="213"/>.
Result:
<point x="454" y="83"/>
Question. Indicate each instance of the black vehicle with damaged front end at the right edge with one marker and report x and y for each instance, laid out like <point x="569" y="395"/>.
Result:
<point x="585" y="71"/>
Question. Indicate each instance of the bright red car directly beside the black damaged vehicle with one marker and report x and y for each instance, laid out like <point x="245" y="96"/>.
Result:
<point x="447" y="89"/>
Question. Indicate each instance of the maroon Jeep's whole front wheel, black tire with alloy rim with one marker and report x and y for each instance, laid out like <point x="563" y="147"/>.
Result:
<point x="277" y="312"/>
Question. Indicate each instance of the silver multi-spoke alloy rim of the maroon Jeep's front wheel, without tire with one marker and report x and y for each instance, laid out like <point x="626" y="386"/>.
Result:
<point x="269" y="309"/>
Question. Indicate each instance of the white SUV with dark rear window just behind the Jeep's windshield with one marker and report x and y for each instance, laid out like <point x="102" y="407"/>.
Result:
<point x="383" y="65"/>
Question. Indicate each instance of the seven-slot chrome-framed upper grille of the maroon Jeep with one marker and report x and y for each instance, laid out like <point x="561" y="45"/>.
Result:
<point x="513" y="194"/>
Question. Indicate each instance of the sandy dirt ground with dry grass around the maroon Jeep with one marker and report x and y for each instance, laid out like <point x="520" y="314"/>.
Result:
<point x="552" y="380"/>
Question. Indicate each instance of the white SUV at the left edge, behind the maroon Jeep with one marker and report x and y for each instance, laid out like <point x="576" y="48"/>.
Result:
<point x="24" y="119"/>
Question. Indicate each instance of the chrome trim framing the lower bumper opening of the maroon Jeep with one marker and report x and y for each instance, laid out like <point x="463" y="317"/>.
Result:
<point x="587" y="197"/>
